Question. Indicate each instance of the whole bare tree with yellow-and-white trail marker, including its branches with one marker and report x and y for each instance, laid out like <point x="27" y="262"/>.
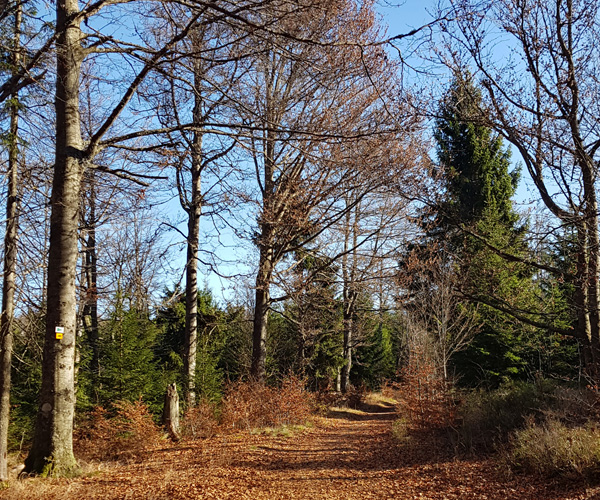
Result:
<point x="51" y="452"/>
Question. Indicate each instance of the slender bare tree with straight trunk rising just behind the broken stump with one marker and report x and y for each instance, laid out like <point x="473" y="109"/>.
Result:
<point x="193" y="92"/>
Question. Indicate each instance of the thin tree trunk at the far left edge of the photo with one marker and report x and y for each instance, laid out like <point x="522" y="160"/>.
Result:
<point x="10" y="264"/>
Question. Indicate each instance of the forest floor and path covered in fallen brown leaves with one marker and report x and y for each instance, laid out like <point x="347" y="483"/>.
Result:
<point x="349" y="454"/>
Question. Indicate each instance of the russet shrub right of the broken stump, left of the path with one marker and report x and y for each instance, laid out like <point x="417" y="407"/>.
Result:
<point x="248" y="405"/>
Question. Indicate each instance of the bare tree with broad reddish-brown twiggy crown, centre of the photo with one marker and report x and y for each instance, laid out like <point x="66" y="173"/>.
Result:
<point x="307" y="99"/>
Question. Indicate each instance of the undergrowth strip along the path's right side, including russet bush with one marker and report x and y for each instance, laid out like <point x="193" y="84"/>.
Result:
<point x="540" y="427"/>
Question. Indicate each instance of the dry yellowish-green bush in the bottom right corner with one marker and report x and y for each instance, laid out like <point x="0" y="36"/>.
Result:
<point x="552" y="449"/>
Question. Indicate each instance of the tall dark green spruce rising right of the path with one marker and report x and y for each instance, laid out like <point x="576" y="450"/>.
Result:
<point x="476" y="206"/>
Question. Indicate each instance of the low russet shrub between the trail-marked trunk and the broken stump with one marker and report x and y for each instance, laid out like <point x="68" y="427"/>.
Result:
<point x="124" y="436"/>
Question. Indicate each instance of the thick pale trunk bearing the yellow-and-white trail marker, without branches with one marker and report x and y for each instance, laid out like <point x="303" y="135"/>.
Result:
<point x="52" y="449"/>
